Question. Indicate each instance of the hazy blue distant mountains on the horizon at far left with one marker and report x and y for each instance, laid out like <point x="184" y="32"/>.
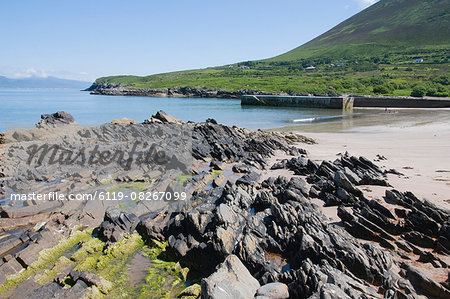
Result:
<point x="36" y="82"/>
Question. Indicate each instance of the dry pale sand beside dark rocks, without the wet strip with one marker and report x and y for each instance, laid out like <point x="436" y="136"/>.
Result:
<point x="419" y="149"/>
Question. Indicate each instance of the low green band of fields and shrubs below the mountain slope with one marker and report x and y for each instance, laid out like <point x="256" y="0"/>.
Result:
<point x="398" y="75"/>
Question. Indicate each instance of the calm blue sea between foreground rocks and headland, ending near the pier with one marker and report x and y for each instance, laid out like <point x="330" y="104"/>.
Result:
<point x="23" y="108"/>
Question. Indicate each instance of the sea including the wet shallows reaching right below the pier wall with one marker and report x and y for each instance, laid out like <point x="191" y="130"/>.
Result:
<point x="22" y="108"/>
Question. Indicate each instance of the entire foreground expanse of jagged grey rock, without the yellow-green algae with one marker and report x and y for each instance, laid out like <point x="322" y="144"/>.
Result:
<point x="243" y="232"/>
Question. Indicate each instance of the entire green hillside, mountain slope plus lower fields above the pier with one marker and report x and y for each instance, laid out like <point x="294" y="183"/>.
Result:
<point x="394" y="47"/>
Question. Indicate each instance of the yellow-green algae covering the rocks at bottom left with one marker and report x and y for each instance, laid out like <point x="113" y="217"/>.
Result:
<point x="162" y="279"/>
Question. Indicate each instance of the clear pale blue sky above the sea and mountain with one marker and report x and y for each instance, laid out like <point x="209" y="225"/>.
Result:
<point x="87" y="39"/>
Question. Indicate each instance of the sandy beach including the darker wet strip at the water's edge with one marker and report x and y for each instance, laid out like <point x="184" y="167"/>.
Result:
<point x="414" y="142"/>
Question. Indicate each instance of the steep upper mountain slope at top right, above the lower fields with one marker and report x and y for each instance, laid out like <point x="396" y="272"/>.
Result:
<point x="385" y="27"/>
